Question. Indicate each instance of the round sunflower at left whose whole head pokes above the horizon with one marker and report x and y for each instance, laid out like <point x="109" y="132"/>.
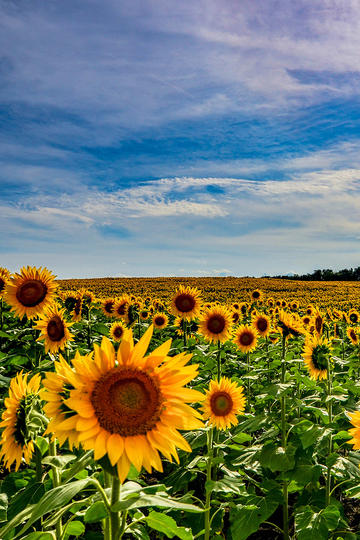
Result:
<point x="30" y="292"/>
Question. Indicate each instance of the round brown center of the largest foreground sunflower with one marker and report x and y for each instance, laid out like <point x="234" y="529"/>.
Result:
<point x="127" y="401"/>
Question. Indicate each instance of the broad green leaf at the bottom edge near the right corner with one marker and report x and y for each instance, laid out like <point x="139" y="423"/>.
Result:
<point x="310" y="524"/>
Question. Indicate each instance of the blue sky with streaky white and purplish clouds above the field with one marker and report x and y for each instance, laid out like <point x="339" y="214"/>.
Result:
<point x="147" y="138"/>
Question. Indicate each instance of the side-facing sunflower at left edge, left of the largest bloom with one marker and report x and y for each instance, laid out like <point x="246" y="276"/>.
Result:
<point x="17" y="438"/>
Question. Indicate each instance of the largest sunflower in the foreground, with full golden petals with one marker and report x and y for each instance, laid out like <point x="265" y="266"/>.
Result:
<point x="130" y="407"/>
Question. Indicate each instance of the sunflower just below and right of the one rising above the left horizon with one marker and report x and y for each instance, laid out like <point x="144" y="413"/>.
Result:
<point x="54" y="329"/>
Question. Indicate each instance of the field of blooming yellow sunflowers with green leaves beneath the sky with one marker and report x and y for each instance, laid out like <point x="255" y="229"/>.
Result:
<point x="178" y="408"/>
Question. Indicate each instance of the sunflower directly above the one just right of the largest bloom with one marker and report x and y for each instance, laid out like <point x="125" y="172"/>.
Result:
<point x="215" y="324"/>
